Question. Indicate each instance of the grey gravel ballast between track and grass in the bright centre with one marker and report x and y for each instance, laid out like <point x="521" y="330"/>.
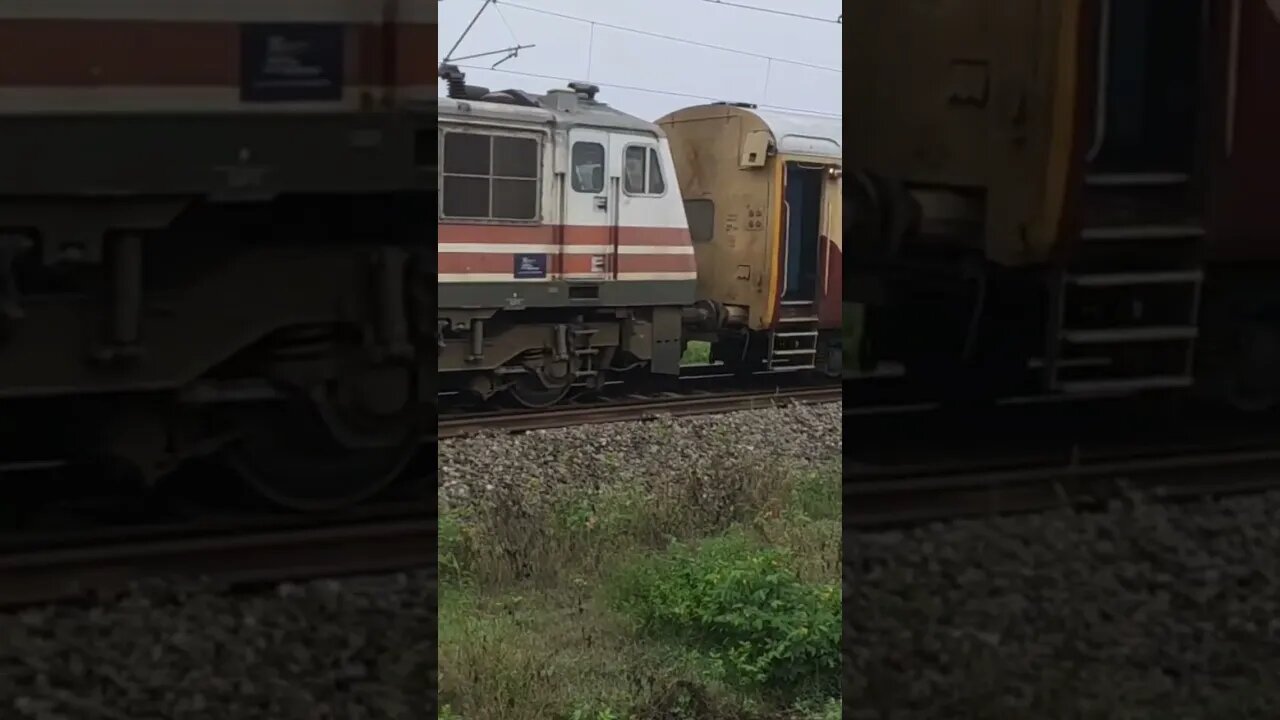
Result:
<point x="796" y="436"/>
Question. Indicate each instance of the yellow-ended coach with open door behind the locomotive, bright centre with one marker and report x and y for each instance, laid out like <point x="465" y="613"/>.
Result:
<point x="762" y="195"/>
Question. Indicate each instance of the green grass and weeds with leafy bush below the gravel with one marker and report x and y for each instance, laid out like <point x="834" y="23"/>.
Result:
<point x="710" y="599"/>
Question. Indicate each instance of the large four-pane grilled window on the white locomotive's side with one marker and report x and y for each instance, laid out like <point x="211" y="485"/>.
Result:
<point x="490" y="177"/>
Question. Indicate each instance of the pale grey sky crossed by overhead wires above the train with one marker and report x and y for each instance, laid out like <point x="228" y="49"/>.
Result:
<point x="607" y="57"/>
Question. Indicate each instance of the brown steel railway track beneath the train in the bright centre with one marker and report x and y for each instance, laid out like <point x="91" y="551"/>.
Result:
<point x="632" y="408"/>
